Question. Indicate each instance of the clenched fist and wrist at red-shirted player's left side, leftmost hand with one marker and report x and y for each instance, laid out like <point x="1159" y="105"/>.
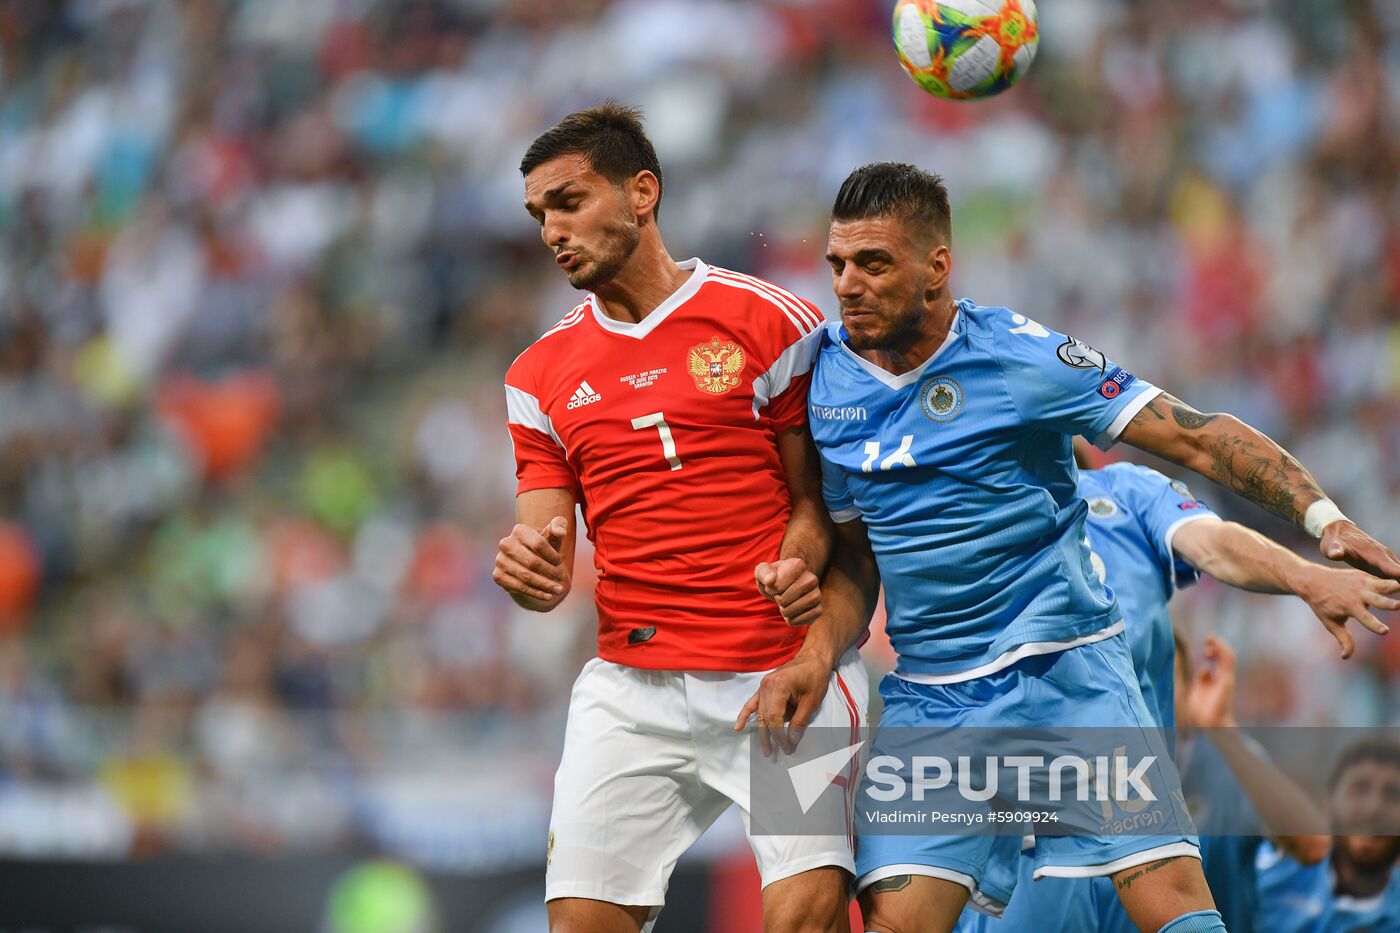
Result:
<point x="535" y="562"/>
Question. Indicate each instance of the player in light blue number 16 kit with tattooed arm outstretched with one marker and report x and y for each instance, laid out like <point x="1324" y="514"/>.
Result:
<point x="944" y="431"/>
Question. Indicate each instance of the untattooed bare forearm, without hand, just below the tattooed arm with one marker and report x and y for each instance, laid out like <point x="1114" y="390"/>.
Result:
<point x="1242" y="558"/>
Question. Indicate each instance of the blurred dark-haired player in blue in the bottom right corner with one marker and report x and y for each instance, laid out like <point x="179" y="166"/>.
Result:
<point x="1356" y="889"/>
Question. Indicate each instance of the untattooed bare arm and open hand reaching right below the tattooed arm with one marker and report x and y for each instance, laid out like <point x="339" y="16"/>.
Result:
<point x="1245" y="560"/>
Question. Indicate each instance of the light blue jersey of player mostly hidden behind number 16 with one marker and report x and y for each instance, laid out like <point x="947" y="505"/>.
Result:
<point x="1135" y="513"/>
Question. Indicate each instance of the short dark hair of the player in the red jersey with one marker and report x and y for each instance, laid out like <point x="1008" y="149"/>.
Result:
<point x="610" y="137"/>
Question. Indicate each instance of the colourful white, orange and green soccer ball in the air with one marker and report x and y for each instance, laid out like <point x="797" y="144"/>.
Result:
<point x="967" y="50"/>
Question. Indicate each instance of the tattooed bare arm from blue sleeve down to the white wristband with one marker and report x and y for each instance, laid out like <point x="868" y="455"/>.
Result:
<point x="1228" y="452"/>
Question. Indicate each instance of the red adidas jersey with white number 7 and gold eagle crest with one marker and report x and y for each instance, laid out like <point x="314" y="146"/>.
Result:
<point x="667" y="432"/>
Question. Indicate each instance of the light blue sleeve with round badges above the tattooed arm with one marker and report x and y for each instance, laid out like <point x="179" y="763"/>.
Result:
<point x="1062" y="385"/>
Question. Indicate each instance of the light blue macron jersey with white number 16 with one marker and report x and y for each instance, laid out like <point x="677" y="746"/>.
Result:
<point x="964" y="474"/>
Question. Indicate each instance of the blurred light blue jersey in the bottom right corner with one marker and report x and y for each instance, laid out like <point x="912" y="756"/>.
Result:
<point x="1303" y="899"/>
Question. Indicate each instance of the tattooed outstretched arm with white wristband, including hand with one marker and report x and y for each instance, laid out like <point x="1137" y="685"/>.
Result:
<point x="1244" y="460"/>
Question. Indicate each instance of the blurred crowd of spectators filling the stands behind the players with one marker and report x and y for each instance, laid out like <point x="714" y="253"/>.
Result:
<point x="264" y="264"/>
